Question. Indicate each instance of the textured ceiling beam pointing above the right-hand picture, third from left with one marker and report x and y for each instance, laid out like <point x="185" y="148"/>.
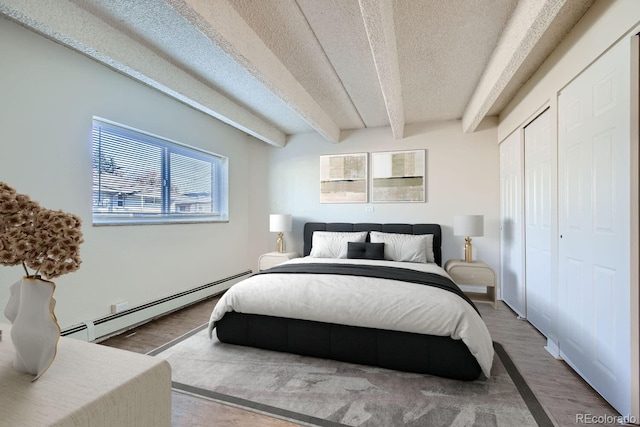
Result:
<point x="378" y="21"/>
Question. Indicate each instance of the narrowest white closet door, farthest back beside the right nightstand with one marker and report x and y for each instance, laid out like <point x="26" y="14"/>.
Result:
<point x="511" y="227"/>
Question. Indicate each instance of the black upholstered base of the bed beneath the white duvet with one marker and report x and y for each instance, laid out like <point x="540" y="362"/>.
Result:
<point x="403" y="351"/>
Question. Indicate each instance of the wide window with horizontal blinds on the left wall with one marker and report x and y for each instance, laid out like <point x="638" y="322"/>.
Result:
<point x="140" y="178"/>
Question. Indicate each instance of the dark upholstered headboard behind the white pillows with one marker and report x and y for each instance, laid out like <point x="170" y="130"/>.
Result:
<point x="434" y="229"/>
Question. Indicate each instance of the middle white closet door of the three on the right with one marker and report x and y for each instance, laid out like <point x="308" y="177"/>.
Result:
<point x="537" y="217"/>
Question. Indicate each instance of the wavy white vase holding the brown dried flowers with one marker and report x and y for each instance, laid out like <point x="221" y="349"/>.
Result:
<point x="35" y="331"/>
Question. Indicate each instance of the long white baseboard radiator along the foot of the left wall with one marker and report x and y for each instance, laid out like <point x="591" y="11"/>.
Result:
<point x="113" y="324"/>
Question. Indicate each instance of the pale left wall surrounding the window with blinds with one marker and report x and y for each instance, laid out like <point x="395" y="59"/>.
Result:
<point x="48" y="97"/>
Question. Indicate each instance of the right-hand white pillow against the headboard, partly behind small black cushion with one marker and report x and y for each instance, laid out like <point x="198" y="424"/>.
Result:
<point x="405" y="247"/>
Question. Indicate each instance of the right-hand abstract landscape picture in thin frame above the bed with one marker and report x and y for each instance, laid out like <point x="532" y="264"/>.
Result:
<point x="398" y="176"/>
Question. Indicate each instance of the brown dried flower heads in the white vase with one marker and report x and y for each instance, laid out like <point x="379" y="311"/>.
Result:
<point x="44" y="240"/>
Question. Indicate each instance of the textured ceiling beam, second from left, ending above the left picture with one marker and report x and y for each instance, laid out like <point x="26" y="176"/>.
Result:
<point x="219" y="21"/>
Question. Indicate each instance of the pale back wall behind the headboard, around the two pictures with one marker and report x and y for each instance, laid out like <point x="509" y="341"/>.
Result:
<point x="462" y="178"/>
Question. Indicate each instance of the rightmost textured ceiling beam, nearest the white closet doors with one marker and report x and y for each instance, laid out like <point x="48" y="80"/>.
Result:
<point x="525" y="28"/>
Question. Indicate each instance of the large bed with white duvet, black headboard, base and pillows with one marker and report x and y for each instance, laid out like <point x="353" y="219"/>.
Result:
<point x="371" y="294"/>
